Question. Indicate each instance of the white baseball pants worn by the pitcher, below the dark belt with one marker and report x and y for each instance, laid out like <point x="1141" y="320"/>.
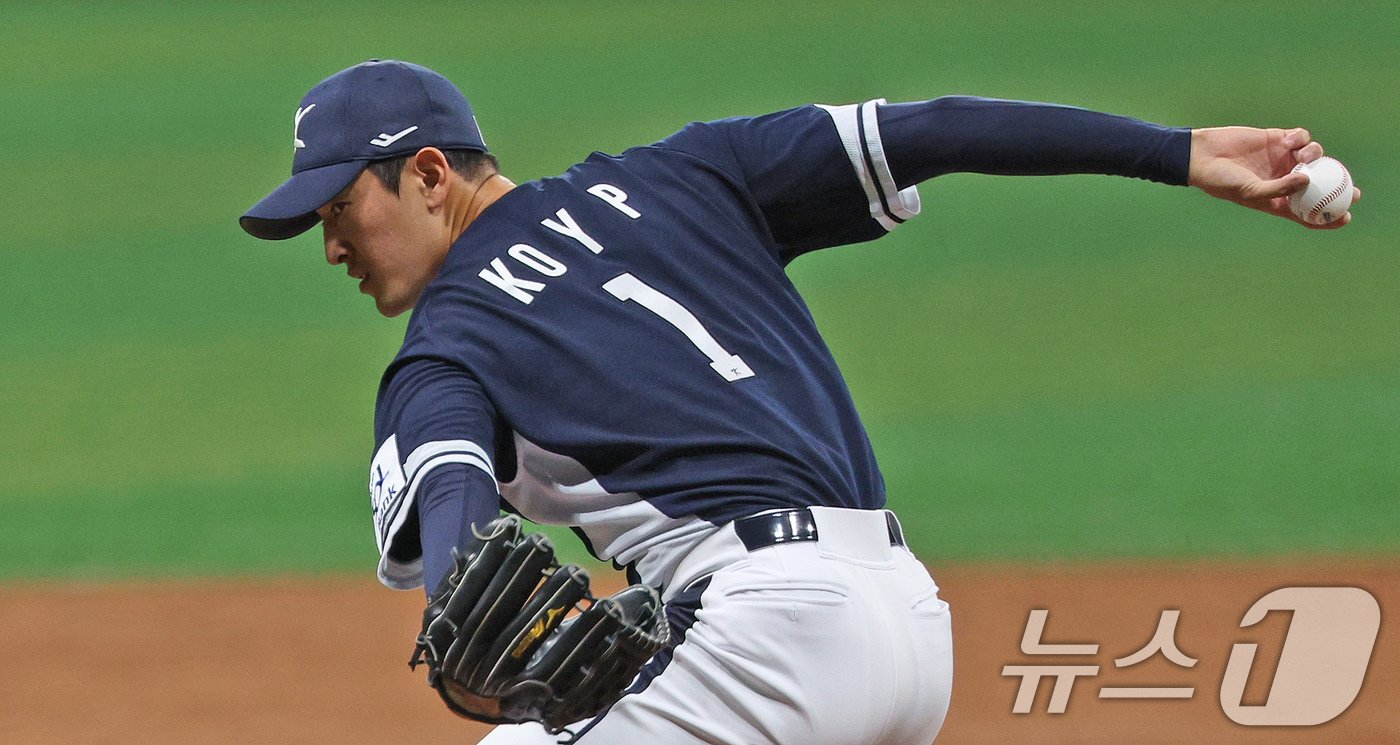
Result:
<point x="835" y="642"/>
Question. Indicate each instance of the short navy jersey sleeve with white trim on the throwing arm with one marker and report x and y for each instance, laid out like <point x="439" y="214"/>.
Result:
<point x="818" y="173"/>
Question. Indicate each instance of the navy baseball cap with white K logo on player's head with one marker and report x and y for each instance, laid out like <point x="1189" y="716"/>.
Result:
<point x="373" y="111"/>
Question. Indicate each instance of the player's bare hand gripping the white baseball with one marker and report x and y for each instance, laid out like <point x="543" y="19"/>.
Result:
<point x="1254" y="167"/>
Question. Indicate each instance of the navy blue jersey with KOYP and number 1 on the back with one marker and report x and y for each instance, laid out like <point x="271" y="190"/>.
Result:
<point x="619" y="349"/>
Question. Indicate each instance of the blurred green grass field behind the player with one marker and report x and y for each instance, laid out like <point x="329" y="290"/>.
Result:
<point x="1072" y="368"/>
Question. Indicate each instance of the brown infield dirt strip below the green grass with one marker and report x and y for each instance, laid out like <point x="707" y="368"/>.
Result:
<point x="324" y="662"/>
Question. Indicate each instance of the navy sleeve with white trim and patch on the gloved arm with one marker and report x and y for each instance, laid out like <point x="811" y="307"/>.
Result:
<point x="433" y="473"/>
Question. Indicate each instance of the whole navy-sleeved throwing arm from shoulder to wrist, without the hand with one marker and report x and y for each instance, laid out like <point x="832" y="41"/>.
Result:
<point x="841" y="174"/>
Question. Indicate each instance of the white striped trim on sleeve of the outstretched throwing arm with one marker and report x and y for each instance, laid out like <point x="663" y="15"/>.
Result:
<point x="859" y="130"/>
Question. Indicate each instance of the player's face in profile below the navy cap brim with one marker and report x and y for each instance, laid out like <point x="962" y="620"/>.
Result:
<point x="387" y="242"/>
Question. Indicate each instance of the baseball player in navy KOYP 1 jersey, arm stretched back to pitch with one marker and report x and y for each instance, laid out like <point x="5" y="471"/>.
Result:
<point x="618" y="349"/>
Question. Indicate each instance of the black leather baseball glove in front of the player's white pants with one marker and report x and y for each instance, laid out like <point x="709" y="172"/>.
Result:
<point x="512" y="636"/>
